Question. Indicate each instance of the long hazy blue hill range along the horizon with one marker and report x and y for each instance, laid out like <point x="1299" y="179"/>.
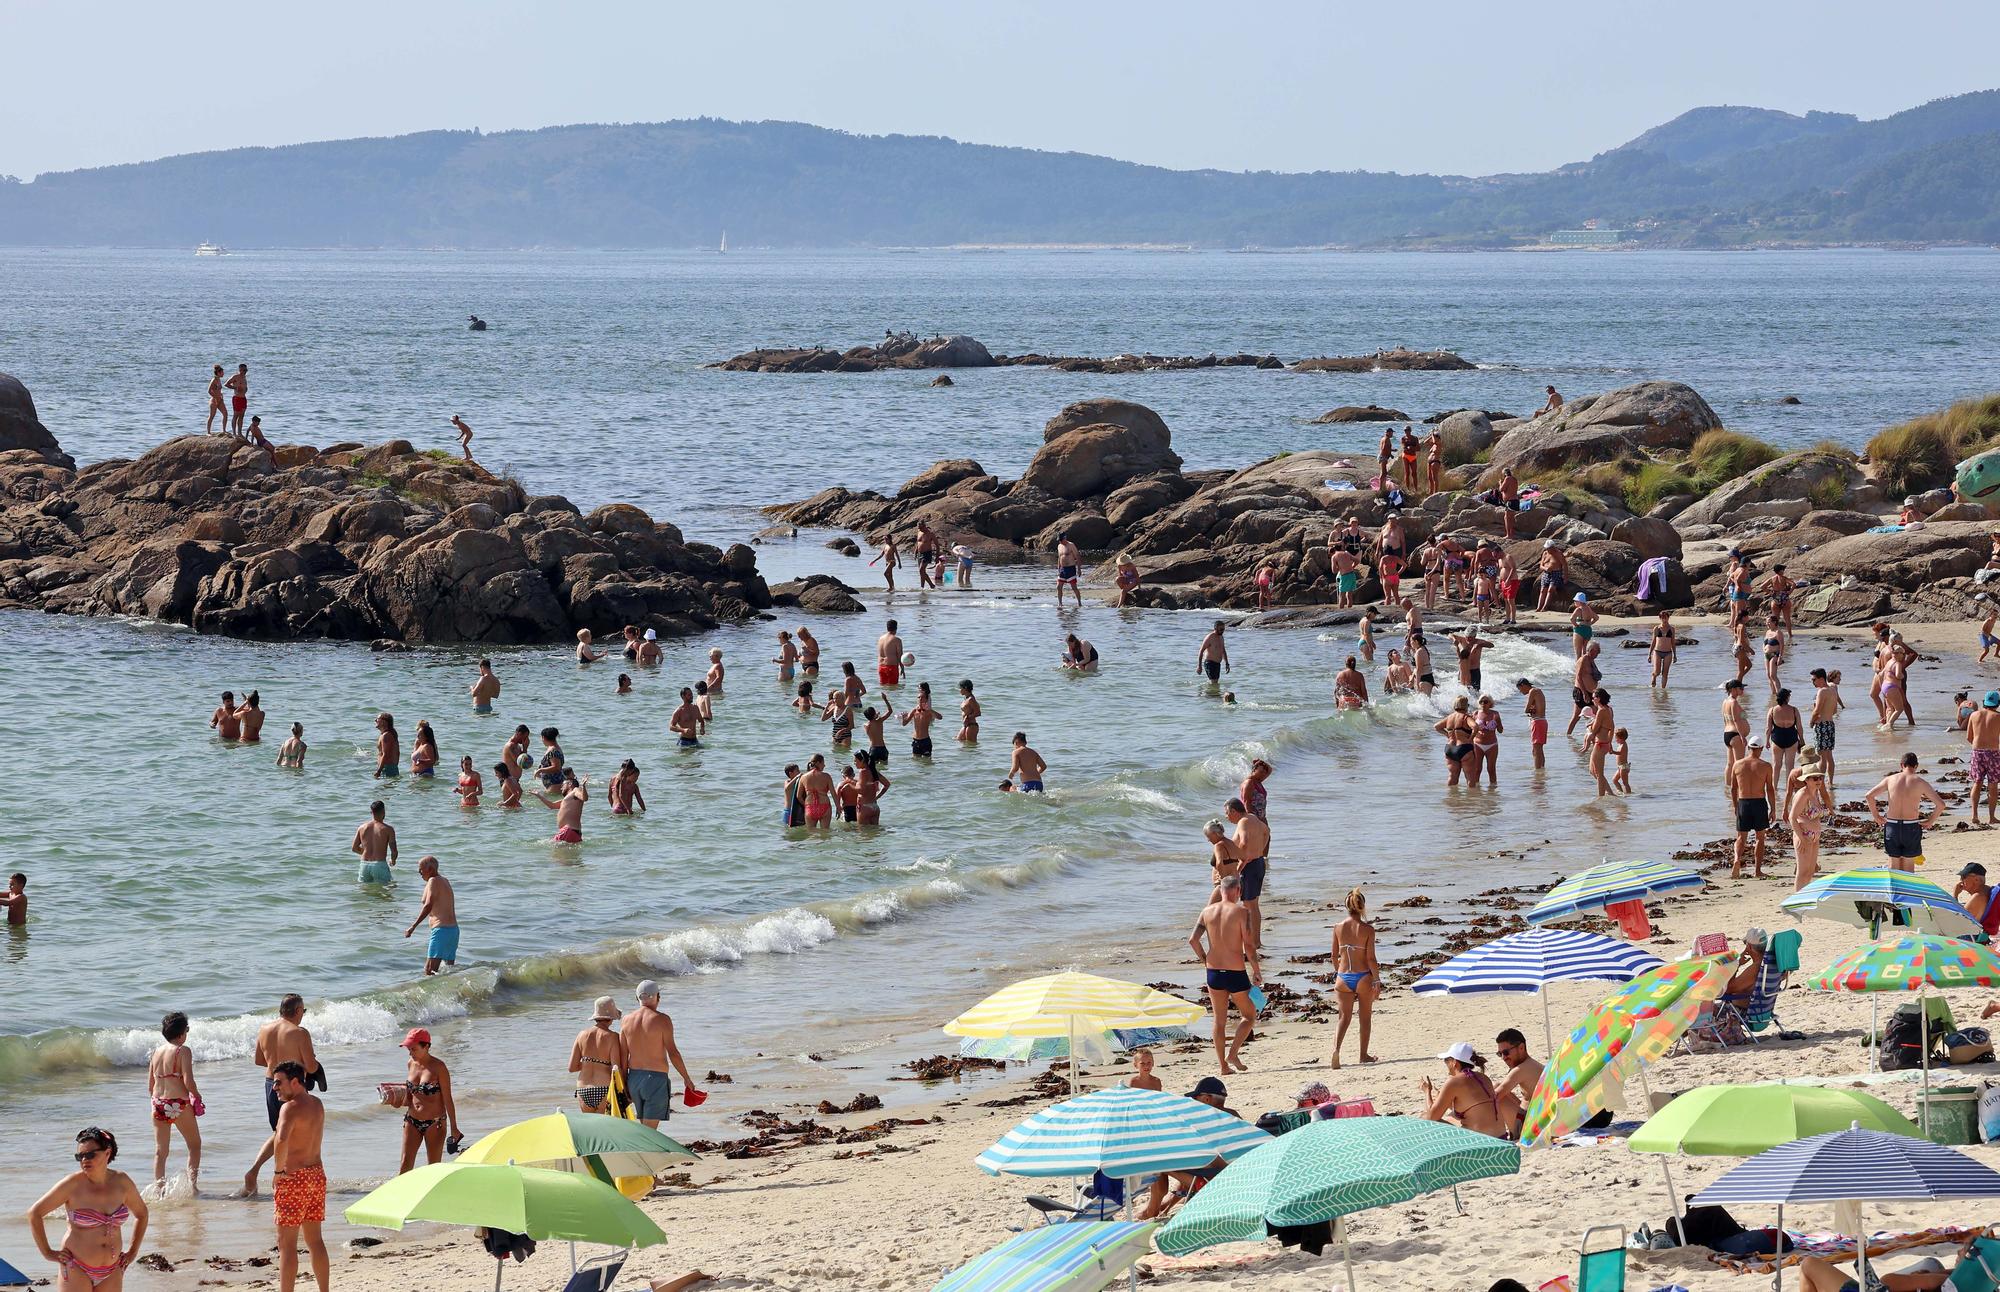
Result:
<point x="1715" y="177"/>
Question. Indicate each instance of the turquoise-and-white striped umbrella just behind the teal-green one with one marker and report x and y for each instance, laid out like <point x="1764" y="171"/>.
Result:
<point x="1123" y="1133"/>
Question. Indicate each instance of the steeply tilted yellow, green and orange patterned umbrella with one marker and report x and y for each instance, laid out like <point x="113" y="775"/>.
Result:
<point x="1629" y="1029"/>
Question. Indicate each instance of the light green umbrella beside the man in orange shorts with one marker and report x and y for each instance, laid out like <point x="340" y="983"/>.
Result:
<point x="545" y="1205"/>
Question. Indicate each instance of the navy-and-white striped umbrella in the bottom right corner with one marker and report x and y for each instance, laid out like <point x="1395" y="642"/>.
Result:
<point x="1855" y="1167"/>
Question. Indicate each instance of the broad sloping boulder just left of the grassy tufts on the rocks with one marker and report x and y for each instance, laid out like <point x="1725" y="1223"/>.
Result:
<point x="1603" y="427"/>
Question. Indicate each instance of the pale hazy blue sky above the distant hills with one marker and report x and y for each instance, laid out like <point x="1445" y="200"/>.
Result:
<point x="1443" y="87"/>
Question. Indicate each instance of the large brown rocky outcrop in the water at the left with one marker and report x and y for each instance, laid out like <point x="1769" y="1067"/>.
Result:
<point x="351" y="543"/>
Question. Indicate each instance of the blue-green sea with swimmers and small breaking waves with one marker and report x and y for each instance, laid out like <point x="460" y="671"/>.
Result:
<point x="171" y="871"/>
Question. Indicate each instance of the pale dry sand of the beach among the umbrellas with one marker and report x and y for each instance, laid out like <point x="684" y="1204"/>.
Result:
<point x="899" y="1209"/>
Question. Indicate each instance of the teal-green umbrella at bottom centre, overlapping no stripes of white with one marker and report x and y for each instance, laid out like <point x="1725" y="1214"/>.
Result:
<point x="1327" y="1171"/>
